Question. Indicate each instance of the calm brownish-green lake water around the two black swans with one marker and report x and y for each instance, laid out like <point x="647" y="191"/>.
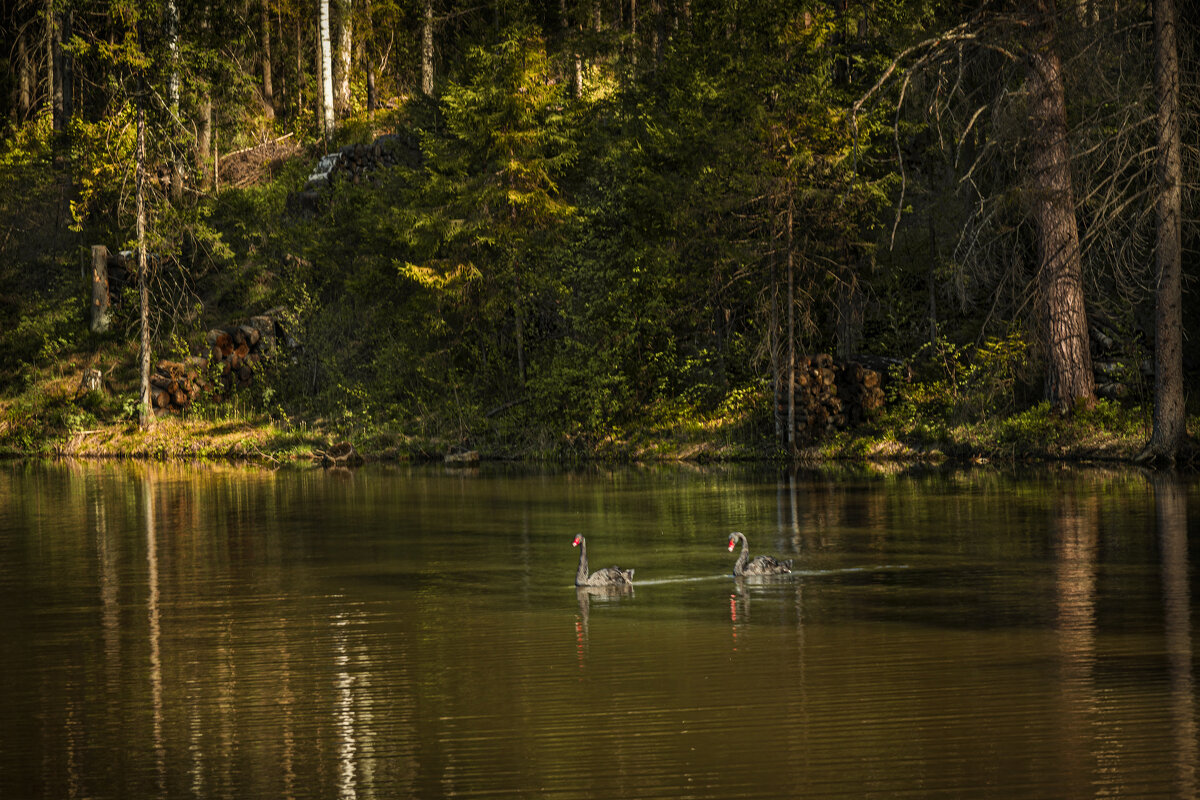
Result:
<point x="415" y="633"/>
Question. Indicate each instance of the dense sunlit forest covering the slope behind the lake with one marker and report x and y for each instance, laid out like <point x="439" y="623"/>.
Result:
<point x="581" y="228"/>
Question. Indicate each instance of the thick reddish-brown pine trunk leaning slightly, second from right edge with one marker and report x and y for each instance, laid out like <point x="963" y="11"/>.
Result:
<point x="1070" y="377"/>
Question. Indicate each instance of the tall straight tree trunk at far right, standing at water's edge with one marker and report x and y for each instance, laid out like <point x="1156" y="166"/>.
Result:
<point x="1171" y="428"/>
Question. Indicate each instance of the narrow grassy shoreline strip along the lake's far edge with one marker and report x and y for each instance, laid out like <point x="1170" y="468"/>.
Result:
<point x="266" y="443"/>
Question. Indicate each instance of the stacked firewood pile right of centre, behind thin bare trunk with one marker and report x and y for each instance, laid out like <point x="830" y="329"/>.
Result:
<point x="832" y="395"/>
